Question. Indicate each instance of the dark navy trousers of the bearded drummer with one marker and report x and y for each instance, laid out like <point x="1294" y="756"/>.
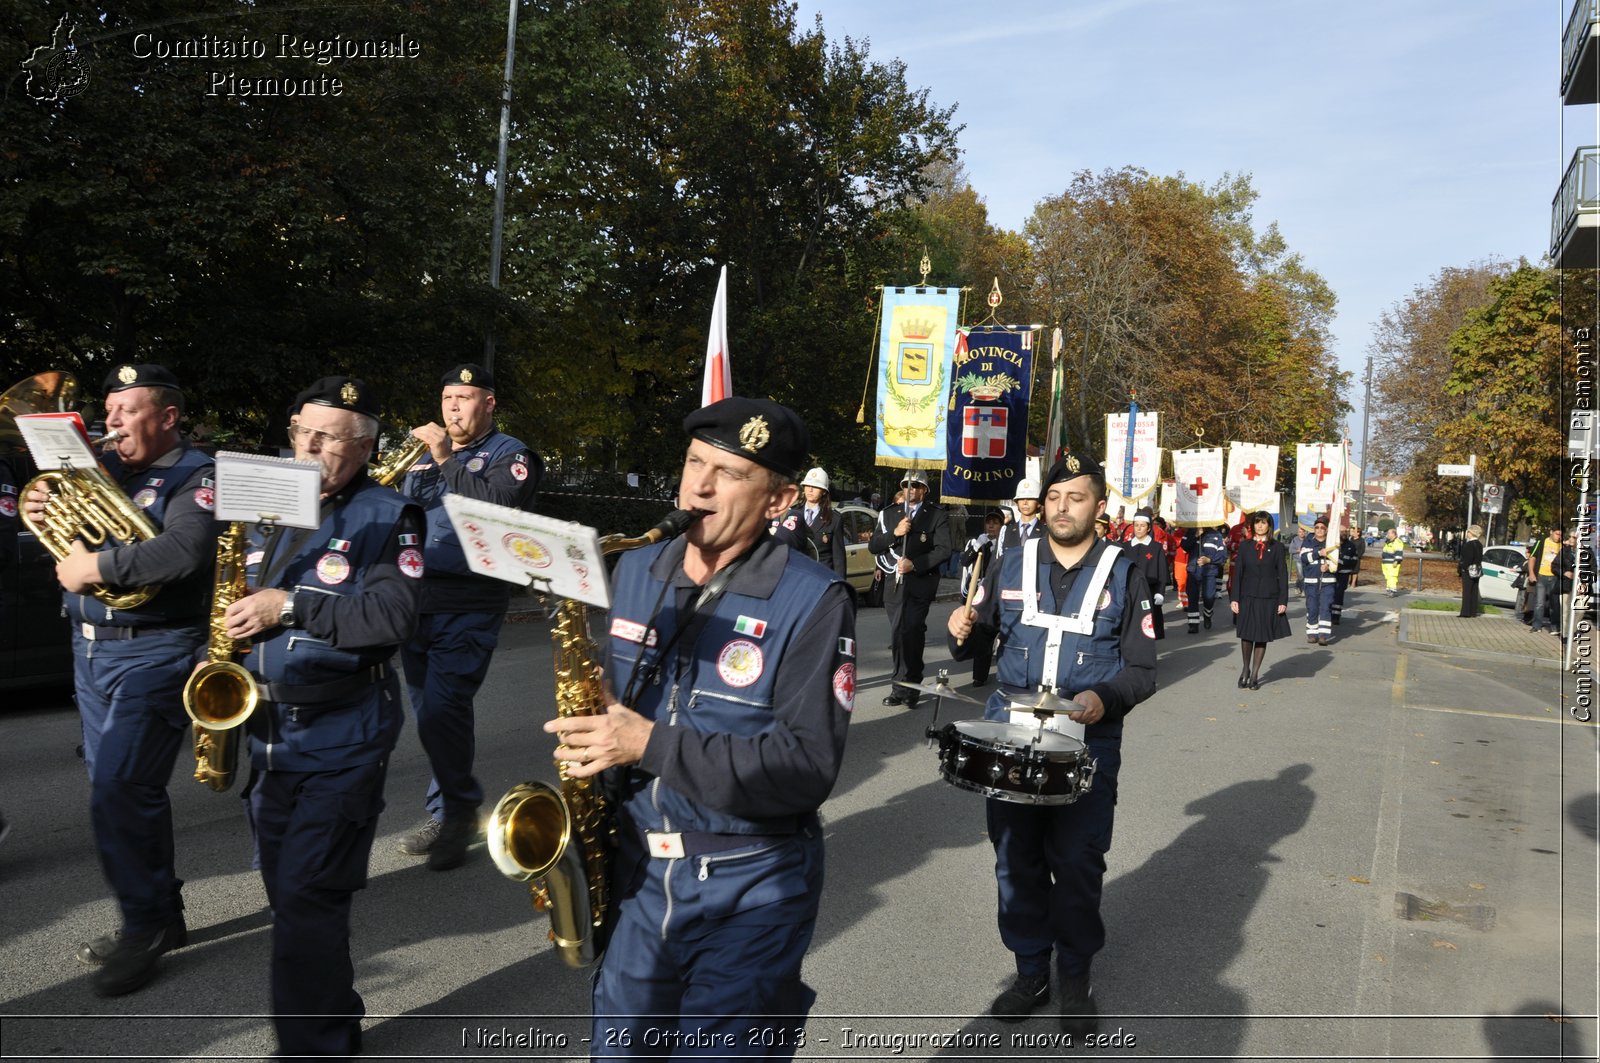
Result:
<point x="1050" y="864"/>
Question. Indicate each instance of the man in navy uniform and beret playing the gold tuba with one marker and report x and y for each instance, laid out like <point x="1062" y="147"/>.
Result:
<point x="130" y="665"/>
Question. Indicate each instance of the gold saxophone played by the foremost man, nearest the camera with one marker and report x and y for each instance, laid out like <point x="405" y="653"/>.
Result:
<point x="559" y="840"/>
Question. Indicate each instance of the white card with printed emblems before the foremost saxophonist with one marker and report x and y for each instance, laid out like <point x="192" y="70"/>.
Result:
<point x="524" y="548"/>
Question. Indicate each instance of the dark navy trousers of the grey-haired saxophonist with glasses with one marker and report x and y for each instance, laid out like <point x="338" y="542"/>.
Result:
<point x="314" y="832"/>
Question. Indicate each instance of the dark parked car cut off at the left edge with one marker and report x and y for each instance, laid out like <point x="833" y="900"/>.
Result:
<point x="36" y="649"/>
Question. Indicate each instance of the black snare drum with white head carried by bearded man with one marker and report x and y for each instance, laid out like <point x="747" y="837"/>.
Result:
<point x="1012" y="763"/>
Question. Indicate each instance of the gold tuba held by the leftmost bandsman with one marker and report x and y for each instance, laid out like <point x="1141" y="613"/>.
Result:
<point x="84" y="503"/>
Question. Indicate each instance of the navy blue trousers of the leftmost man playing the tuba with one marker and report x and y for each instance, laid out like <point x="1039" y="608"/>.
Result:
<point x="130" y="699"/>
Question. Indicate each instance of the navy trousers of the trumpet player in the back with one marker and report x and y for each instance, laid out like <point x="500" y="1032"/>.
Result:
<point x="446" y="664"/>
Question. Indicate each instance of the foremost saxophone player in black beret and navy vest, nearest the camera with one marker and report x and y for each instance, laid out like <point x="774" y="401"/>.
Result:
<point x="734" y="664"/>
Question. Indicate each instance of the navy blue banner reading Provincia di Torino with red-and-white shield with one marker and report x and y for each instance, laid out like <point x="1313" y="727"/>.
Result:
<point x="986" y="433"/>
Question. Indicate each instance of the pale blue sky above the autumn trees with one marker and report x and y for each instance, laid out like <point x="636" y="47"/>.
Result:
<point x="1388" y="138"/>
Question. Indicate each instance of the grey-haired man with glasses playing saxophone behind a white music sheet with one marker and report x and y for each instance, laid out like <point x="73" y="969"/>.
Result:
<point x="326" y="616"/>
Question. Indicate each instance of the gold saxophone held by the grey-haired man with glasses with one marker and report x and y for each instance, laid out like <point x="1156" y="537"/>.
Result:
<point x="222" y="694"/>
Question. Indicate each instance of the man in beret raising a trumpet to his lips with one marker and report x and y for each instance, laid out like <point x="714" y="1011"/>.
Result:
<point x="462" y="614"/>
